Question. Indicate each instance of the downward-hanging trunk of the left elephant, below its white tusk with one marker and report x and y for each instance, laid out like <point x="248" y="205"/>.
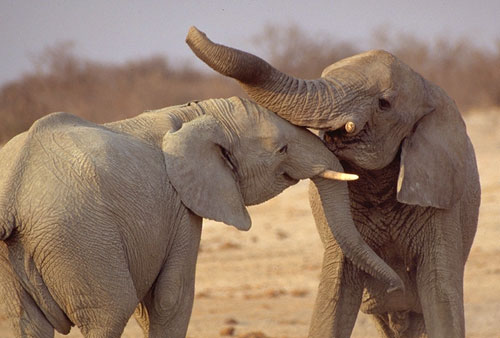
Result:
<point x="334" y="199"/>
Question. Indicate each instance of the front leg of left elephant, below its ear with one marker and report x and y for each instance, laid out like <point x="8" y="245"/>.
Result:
<point x="170" y="302"/>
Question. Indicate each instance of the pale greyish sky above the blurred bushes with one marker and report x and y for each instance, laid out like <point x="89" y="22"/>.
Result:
<point x="121" y="30"/>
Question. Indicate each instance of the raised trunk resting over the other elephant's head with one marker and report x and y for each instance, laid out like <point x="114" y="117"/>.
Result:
<point x="295" y="100"/>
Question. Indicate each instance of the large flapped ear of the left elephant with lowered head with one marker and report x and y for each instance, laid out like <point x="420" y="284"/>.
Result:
<point x="197" y="170"/>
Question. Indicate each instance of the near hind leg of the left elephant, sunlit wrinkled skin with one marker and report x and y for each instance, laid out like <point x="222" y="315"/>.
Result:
<point x="91" y="281"/>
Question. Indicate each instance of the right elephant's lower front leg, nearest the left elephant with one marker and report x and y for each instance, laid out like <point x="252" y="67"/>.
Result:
<point x="339" y="296"/>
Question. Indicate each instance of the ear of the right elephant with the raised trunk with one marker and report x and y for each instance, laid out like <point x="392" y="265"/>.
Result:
<point x="432" y="172"/>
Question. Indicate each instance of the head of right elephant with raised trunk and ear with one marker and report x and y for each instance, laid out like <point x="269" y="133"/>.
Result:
<point x="371" y="108"/>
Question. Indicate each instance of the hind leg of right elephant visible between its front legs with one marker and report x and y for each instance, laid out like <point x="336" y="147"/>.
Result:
<point x="400" y="324"/>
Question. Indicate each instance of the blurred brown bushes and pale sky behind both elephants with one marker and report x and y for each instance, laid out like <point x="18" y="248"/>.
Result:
<point x="107" y="60"/>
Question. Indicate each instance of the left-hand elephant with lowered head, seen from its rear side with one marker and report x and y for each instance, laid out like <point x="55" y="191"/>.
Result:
<point x="99" y="220"/>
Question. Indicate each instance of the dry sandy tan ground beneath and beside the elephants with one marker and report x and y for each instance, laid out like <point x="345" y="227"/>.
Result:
<point x="264" y="281"/>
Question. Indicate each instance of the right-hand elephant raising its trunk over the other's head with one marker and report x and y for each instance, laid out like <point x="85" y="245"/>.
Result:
<point x="416" y="202"/>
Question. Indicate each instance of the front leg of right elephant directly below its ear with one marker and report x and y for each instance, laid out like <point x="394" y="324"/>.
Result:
<point x="440" y="279"/>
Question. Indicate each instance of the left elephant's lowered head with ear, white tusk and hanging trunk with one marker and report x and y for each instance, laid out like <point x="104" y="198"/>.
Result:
<point x="237" y="153"/>
